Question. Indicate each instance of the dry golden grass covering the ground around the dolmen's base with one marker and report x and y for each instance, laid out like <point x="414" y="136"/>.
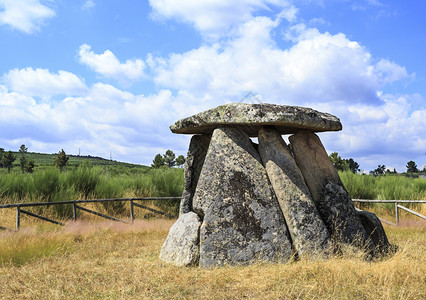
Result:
<point x="107" y="260"/>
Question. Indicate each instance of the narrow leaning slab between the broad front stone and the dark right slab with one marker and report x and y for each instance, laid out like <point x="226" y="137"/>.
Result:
<point x="307" y="230"/>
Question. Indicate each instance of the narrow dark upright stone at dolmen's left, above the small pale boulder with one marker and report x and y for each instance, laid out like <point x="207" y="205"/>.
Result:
<point x="193" y="164"/>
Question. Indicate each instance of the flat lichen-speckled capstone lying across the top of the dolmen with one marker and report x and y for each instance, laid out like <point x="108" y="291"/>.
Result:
<point x="251" y="117"/>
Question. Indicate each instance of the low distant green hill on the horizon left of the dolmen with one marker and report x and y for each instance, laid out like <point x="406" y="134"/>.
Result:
<point x="44" y="159"/>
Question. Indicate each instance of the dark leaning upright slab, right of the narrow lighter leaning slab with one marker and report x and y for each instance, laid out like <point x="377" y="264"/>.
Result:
<point x="330" y="196"/>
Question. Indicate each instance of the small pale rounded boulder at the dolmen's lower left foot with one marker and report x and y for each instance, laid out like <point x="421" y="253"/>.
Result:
<point x="182" y="243"/>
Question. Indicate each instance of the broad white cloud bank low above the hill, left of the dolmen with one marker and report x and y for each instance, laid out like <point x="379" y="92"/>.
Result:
<point x="133" y="127"/>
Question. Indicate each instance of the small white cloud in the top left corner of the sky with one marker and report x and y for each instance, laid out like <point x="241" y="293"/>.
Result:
<point x="24" y="15"/>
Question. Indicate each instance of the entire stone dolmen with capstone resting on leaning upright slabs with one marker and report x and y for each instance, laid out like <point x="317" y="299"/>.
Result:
<point x="245" y="202"/>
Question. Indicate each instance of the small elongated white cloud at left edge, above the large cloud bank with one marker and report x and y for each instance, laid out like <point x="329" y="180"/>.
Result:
<point x="42" y="83"/>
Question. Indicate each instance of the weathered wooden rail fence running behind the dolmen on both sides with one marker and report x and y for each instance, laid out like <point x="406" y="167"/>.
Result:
<point x="75" y="203"/>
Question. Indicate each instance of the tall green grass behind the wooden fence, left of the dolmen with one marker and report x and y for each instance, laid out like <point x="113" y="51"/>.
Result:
<point x="91" y="182"/>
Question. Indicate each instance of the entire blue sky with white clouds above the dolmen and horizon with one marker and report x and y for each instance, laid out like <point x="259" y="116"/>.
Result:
<point x="107" y="78"/>
